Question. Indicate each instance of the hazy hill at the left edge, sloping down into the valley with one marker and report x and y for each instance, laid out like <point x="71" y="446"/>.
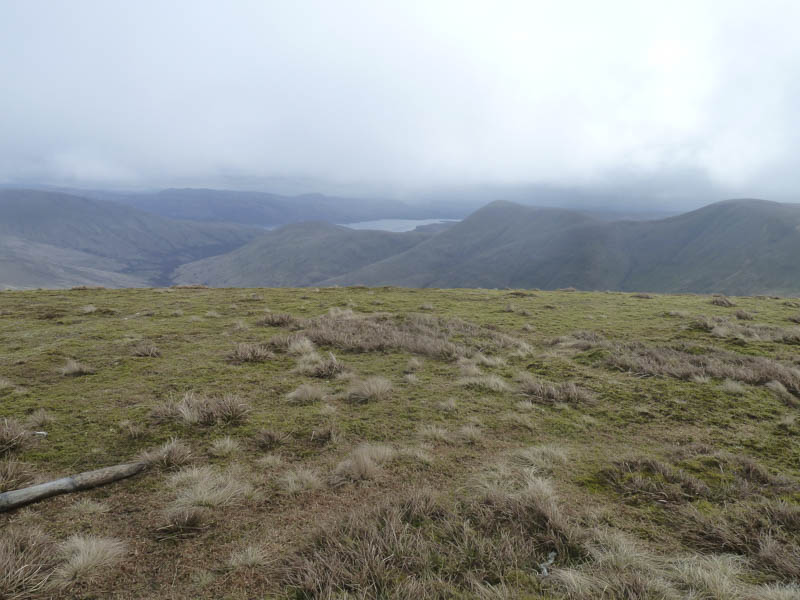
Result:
<point x="54" y="240"/>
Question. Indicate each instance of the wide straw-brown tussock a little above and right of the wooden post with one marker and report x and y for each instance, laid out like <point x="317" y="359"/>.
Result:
<point x="195" y="409"/>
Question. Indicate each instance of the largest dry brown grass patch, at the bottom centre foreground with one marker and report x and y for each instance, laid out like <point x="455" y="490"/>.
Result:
<point x="423" y="546"/>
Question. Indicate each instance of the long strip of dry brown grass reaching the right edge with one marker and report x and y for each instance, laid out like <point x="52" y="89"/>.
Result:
<point x="686" y="362"/>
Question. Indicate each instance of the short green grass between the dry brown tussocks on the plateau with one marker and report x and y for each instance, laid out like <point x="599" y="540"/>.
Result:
<point x="630" y="417"/>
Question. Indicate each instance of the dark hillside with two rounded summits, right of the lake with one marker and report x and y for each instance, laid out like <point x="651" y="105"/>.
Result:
<point x="735" y="247"/>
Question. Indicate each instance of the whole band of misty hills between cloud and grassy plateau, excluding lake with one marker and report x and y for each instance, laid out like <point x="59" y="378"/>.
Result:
<point x="247" y="239"/>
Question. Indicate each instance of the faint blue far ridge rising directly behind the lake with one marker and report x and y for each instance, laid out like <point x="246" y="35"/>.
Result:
<point x="265" y="209"/>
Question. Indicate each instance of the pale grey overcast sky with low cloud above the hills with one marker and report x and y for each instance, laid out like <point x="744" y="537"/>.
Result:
<point x="401" y="94"/>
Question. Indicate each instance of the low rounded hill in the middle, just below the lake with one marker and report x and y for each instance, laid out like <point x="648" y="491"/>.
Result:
<point x="298" y="255"/>
